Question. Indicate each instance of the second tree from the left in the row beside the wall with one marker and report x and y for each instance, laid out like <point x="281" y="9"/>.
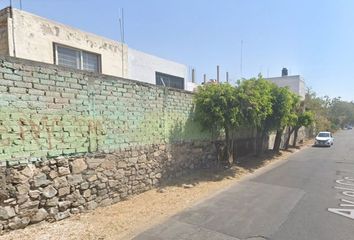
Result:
<point x="255" y="99"/>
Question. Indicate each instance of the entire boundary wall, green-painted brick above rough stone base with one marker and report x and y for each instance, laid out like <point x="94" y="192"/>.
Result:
<point x="71" y="141"/>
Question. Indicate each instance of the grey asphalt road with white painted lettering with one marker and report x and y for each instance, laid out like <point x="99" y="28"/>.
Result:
<point x="307" y="197"/>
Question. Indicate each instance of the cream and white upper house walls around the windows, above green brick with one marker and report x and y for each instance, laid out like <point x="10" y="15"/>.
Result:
<point x="33" y="37"/>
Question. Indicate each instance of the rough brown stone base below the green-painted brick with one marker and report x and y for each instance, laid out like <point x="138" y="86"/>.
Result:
<point x="55" y="189"/>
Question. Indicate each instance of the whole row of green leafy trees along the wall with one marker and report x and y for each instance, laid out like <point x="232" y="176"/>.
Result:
<point x="254" y="103"/>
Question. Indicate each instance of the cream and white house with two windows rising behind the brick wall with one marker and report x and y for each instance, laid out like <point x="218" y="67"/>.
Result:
<point x="28" y="36"/>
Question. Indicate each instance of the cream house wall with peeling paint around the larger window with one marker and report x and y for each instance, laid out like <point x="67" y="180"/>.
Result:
<point x="34" y="37"/>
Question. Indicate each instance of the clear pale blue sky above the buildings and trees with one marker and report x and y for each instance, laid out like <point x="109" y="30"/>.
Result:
<point x="314" y="39"/>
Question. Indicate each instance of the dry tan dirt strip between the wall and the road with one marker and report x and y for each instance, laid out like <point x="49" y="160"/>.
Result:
<point x="126" y="219"/>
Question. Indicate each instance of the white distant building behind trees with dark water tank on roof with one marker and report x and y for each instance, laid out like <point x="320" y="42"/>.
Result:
<point x="295" y="83"/>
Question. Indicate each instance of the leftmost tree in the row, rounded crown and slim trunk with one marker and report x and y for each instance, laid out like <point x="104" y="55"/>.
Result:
<point x="217" y="108"/>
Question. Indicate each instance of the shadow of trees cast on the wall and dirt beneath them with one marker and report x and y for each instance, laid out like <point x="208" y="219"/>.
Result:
<point x="191" y="160"/>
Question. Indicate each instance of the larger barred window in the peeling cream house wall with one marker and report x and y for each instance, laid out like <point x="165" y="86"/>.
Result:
<point x="76" y="58"/>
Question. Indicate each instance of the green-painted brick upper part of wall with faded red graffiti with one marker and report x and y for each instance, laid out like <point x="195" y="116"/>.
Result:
<point x="48" y="111"/>
